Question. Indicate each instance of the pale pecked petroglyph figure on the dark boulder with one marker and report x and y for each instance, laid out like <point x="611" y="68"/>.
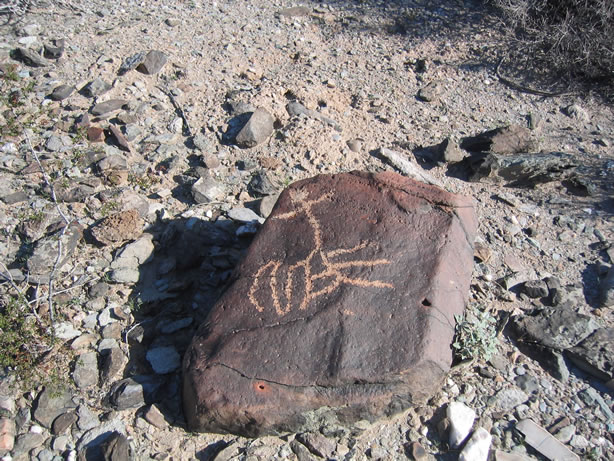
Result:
<point x="320" y="272"/>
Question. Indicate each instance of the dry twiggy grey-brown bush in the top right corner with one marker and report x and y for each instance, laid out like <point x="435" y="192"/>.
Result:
<point x="572" y="37"/>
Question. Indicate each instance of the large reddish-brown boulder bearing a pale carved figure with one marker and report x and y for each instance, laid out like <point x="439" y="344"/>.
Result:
<point x="342" y="309"/>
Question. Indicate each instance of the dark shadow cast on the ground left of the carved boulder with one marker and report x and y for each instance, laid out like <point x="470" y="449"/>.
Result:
<point x="191" y="267"/>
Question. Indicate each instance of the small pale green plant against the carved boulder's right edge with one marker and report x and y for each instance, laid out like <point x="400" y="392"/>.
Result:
<point x="475" y="334"/>
